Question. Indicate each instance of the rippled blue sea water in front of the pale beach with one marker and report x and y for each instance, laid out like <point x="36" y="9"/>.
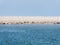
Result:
<point x="30" y="34"/>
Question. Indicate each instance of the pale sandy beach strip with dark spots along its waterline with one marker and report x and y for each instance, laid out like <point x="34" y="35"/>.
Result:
<point x="29" y="20"/>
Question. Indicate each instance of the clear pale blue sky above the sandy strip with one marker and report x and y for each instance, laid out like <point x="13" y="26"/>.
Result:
<point x="29" y="7"/>
